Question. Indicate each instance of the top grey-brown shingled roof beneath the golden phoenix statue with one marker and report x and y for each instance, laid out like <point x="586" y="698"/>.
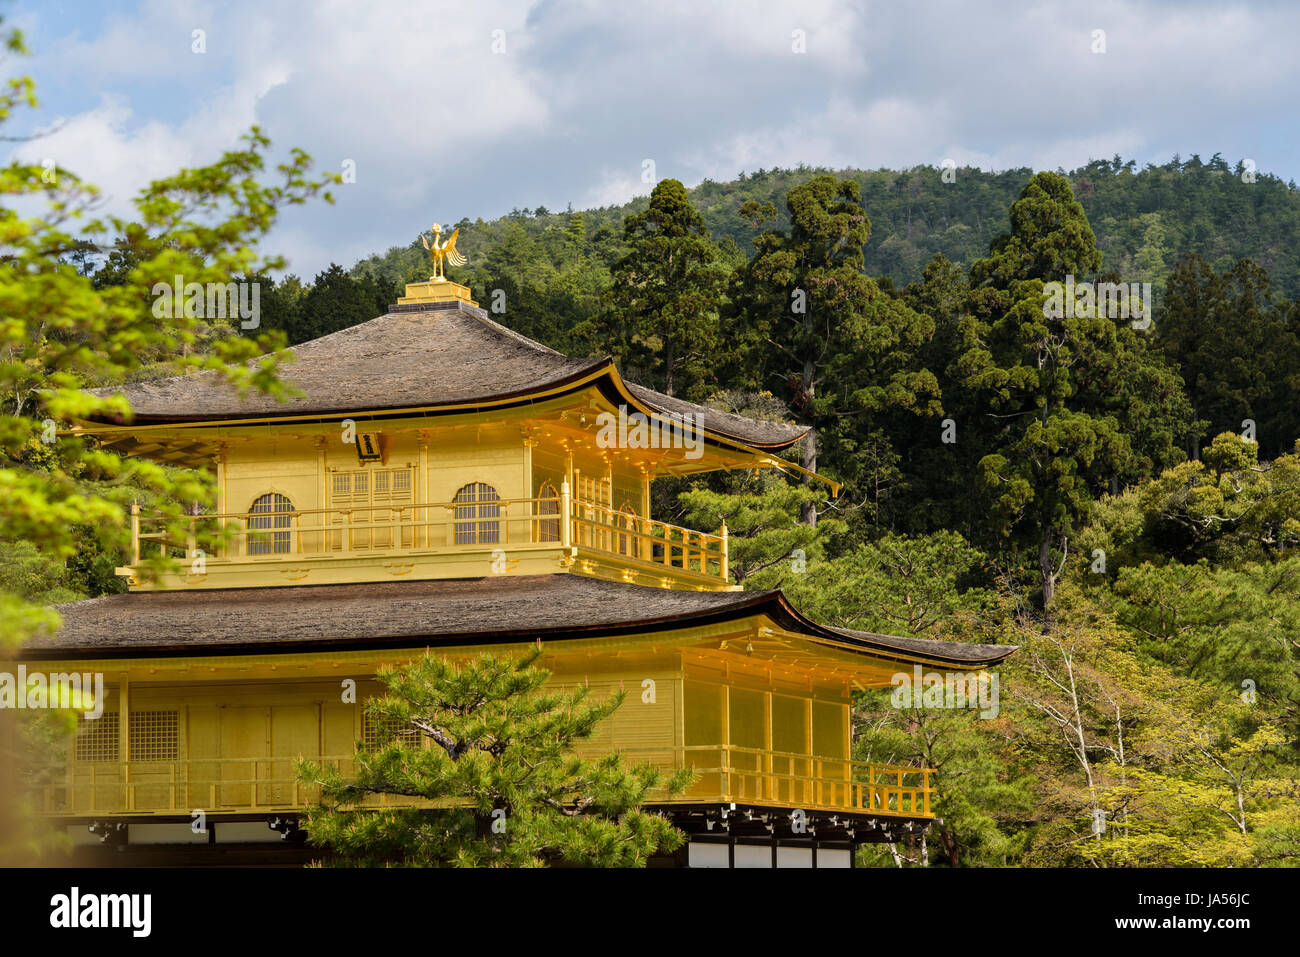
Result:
<point x="422" y="357"/>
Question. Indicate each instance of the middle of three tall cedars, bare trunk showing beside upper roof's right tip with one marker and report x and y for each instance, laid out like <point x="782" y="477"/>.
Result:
<point x="805" y="296"/>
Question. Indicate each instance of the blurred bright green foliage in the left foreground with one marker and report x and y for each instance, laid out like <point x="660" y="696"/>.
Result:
<point x="66" y="331"/>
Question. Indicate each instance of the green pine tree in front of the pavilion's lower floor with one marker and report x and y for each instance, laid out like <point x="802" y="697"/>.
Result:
<point x="501" y="770"/>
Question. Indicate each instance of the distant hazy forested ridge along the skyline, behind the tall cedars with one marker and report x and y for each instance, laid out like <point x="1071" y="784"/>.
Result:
<point x="1145" y="219"/>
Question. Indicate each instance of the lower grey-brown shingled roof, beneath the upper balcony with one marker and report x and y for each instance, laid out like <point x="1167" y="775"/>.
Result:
<point x="436" y="613"/>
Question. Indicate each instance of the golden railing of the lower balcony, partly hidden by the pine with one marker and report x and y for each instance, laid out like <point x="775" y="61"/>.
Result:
<point x="725" y="774"/>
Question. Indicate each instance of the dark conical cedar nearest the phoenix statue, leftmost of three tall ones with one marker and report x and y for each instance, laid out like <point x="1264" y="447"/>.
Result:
<point x="668" y="292"/>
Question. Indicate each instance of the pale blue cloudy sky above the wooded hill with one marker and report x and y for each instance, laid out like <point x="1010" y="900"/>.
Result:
<point x="473" y="109"/>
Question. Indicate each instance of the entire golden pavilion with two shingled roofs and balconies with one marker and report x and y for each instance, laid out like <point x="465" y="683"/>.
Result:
<point x="441" y="483"/>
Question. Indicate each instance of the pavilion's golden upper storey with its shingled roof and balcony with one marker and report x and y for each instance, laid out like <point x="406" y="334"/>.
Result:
<point x="434" y="443"/>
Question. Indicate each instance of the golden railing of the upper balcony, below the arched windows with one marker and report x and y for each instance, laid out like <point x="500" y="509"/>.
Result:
<point x="515" y="525"/>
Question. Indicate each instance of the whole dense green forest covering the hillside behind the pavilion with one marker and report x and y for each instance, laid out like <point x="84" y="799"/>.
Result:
<point x="1120" y="500"/>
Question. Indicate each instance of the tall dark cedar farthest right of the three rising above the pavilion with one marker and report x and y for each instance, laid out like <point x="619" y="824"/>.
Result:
<point x="1047" y="444"/>
